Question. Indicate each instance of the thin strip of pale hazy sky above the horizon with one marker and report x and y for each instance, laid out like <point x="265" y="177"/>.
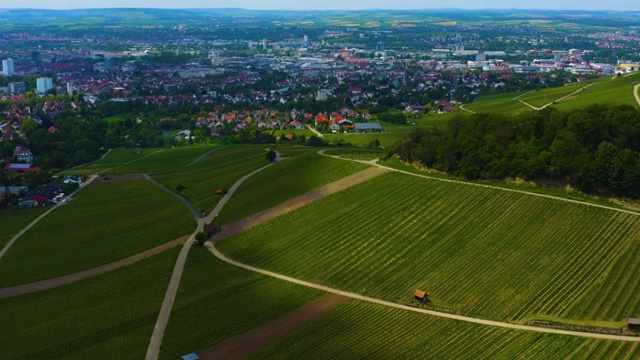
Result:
<point x="331" y="4"/>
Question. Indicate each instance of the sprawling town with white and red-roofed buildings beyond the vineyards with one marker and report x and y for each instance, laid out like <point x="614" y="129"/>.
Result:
<point x="195" y="83"/>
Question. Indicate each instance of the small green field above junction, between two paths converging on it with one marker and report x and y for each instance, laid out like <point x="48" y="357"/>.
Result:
<point x="202" y="179"/>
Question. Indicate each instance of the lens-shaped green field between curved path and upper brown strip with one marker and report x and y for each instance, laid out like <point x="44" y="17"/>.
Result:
<point x="283" y="181"/>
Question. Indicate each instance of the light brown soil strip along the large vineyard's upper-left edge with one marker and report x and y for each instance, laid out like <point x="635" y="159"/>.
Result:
<point x="297" y="202"/>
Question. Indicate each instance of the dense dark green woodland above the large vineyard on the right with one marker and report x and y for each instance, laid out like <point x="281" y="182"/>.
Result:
<point x="596" y="149"/>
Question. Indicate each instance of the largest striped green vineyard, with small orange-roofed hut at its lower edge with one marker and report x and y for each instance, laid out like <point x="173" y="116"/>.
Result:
<point x="479" y="252"/>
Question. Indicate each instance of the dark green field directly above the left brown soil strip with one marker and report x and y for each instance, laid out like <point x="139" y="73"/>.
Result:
<point x="104" y="222"/>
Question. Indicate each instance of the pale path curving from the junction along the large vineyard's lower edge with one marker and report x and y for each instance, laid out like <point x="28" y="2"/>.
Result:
<point x="220" y="256"/>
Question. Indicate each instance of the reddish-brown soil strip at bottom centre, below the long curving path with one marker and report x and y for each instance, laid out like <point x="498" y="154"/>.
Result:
<point x="253" y="340"/>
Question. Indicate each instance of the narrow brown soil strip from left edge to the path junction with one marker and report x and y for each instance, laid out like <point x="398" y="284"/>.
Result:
<point x="71" y="278"/>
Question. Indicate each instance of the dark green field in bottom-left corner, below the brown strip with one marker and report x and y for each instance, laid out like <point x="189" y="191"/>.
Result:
<point x="110" y="316"/>
